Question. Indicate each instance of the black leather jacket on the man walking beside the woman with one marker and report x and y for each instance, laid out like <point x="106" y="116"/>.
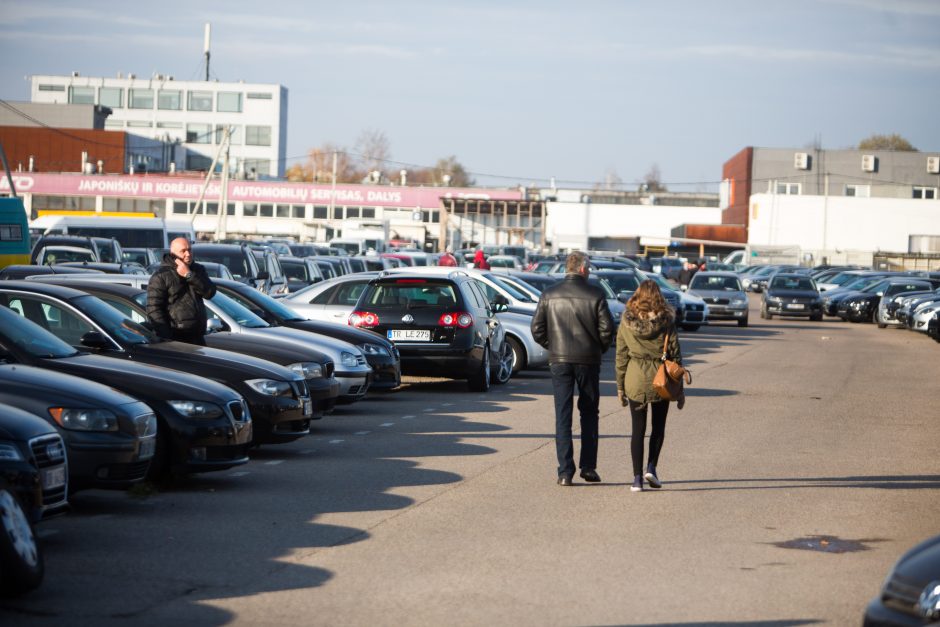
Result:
<point x="573" y="322"/>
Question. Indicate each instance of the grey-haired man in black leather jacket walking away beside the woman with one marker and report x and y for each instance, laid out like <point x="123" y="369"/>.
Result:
<point x="573" y="322"/>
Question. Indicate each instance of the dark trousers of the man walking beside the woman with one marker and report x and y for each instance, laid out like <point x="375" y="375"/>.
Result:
<point x="565" y="378"/>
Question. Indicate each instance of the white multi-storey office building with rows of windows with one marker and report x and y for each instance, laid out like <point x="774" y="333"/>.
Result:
<point x="193" y="113"/>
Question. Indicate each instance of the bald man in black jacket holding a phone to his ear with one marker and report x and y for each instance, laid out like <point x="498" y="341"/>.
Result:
<point x="175" y="293"/>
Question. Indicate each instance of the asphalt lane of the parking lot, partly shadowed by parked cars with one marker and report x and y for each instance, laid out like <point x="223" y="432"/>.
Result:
<point x="433" y="505"/>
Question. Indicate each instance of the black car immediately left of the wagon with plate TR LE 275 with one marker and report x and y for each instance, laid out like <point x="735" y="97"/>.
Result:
<point x="380" y="353"/>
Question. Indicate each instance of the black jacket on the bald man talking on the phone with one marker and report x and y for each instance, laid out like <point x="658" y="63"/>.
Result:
<point x="175" y="303"/>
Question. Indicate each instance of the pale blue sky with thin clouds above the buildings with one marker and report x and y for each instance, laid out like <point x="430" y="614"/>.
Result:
<point x="521" y="92"/>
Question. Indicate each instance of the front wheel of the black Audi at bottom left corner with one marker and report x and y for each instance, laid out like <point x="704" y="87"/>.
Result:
<point x="20" y="554"/>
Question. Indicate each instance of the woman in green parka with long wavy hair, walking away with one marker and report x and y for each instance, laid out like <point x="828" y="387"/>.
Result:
<point x="643" y="328"/>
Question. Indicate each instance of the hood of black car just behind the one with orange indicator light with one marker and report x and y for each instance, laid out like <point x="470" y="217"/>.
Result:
<point x="143" y="381"/>
